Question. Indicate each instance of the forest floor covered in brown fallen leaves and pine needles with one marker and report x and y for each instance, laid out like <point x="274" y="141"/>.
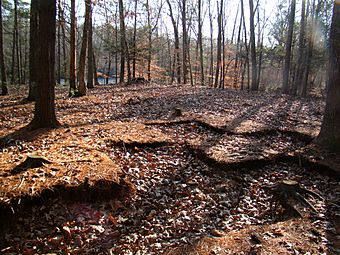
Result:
<point x="155" y="169"/>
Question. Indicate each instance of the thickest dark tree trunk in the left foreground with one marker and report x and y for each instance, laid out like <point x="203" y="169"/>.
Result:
<point x="44" y="114"/>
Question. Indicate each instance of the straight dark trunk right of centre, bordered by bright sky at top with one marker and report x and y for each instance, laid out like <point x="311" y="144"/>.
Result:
<point x="254" y="80"/>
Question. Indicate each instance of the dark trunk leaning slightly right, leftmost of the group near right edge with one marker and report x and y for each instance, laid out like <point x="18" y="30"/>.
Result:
<point x="286" y="71"/>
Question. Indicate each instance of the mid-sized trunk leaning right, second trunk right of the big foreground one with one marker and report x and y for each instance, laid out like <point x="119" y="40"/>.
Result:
<point x="82" y="57"/>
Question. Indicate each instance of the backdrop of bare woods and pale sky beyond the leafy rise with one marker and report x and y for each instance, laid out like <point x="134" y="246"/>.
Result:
<point x="222" y="44"/>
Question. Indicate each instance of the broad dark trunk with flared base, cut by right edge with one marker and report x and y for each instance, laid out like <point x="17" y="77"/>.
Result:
<point x="329" y="136"/>
